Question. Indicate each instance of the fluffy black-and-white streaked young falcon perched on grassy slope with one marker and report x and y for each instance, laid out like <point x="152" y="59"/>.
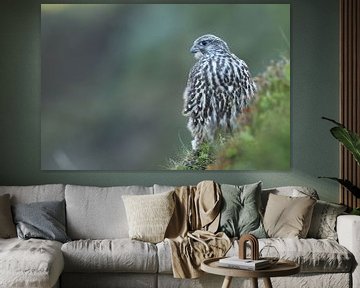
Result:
<point x="219" y="87"/>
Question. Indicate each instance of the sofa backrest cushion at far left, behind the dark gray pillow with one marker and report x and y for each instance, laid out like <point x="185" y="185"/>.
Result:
<point x="37" y="193"/>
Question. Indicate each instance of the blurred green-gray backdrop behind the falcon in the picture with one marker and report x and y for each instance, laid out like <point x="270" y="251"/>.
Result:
<point x="113" y="76"/>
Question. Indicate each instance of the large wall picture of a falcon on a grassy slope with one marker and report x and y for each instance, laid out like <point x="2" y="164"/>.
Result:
<point x="138" y="87"/>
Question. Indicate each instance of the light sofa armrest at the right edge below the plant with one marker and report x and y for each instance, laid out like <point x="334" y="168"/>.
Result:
<point x="348" y="230"/>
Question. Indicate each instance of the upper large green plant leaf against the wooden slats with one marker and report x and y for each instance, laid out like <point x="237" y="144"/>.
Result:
<point x="348" y="138"/>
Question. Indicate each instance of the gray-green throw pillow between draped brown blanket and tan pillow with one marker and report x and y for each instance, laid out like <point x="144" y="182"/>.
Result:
<point x="240" y="213"/>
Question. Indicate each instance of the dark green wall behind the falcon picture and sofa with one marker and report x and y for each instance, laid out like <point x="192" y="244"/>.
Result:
<point x="315" y="70"/>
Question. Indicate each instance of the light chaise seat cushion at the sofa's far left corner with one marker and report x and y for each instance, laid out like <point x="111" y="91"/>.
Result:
<point x="30" y="263"/>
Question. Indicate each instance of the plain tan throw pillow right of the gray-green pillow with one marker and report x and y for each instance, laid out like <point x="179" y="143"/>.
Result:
<point x="288" y="217"/>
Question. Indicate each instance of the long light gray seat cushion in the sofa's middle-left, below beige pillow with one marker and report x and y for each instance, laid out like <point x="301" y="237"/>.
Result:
<point x="117" y="255"/>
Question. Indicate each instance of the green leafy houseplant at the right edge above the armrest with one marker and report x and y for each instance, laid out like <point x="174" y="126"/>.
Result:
<point x="351" y="141"/>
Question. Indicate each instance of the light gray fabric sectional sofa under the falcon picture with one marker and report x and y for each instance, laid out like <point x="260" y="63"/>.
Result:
<point x="100" y="253"/>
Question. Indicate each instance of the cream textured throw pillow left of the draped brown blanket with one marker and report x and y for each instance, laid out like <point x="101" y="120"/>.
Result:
<point x="149" y="215"/>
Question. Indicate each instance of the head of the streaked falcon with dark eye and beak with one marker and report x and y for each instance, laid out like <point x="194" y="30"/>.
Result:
<point x="208" y="45"/>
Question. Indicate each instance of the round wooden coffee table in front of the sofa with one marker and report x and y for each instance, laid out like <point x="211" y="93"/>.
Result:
<point x="281" y="268"/>
